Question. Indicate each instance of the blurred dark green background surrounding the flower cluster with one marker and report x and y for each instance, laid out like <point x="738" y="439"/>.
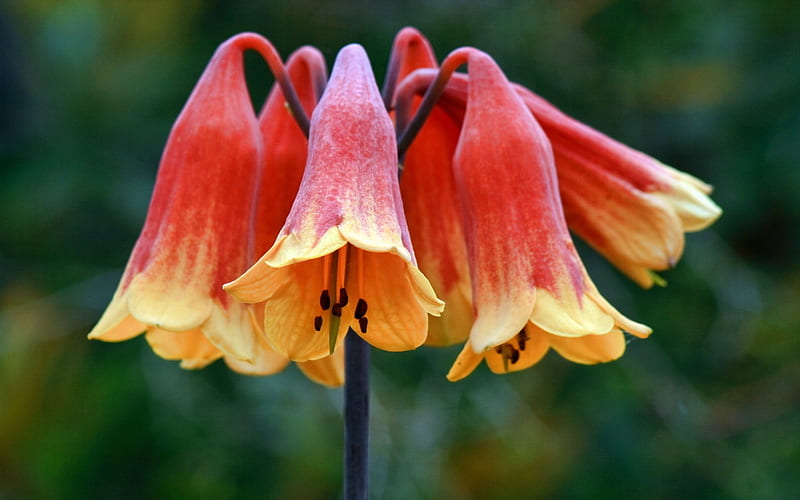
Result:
<point x="709" y="407"/>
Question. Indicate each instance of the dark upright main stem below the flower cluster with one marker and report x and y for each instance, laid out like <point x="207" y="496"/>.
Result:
<point x="356" y="416"/>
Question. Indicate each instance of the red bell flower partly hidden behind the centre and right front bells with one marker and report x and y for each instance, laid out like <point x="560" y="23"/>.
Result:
<point x="428" y="187"/>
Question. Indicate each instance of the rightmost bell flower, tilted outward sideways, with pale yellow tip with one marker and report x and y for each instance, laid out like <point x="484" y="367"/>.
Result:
<point x="628" y="206"/>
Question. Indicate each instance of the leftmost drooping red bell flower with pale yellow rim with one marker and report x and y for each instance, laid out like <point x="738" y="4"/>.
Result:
<point x="197" y="231"/>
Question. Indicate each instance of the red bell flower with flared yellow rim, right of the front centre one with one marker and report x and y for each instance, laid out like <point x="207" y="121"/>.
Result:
<point x="528" y="283"/>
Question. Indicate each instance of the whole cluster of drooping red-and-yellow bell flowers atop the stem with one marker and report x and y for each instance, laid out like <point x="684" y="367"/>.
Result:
<point x="270" y="236"/>
